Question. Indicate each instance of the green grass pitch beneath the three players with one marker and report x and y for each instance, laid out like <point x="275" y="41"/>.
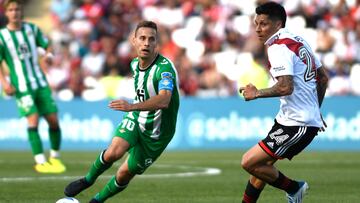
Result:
<point x="333" y="178"/>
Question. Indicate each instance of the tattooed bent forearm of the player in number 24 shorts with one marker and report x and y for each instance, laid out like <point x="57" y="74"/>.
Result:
<point x="283" y="87"/>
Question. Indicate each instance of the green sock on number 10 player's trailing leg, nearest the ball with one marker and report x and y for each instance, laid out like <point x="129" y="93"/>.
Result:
<point x="110" y="189"/>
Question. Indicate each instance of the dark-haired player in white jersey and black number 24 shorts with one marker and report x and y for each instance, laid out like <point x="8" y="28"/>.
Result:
<point x="301" y="83"/>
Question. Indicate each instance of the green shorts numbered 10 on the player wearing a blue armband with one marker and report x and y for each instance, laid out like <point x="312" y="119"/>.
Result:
<point x="143" y="150"/>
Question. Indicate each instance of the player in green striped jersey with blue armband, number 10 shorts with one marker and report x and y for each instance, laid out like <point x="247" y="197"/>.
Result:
<point x="150" y="123"/>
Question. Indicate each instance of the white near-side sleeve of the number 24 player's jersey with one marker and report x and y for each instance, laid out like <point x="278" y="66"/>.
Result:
<point x="281" y="60"/>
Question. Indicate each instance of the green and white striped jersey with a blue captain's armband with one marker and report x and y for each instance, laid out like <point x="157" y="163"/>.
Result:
<point x="161" y="122"/>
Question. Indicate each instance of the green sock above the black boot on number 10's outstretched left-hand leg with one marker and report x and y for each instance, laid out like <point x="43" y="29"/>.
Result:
<point x="97" y="168"/>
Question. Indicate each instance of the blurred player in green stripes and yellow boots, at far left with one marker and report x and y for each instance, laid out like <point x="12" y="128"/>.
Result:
<point x="19" y="42"/>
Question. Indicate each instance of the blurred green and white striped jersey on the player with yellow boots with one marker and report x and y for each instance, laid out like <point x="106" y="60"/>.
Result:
<point x="19" y="50"/>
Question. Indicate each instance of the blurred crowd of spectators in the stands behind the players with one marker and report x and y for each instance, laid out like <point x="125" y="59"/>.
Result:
<point x="211" y="42"/>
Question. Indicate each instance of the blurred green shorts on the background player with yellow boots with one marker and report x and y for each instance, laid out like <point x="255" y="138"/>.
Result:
<point x="38" y="101"/>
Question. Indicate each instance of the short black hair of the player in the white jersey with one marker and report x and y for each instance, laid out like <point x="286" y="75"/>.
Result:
<point x="274" y="10"/>
